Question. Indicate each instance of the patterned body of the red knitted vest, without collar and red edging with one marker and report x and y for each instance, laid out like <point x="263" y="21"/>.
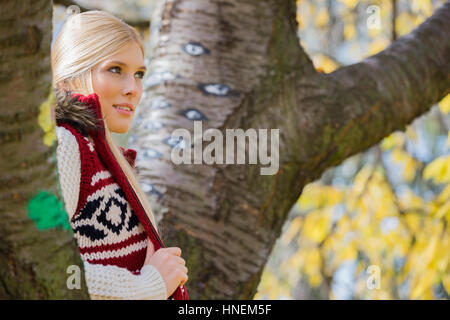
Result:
<point x="105" y="226"/>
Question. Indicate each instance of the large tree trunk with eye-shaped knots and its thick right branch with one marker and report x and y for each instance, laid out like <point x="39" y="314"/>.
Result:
<point x="226" y="218"/>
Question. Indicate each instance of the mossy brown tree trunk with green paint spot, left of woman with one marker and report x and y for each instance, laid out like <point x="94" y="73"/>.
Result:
<point x="33" y="263"/>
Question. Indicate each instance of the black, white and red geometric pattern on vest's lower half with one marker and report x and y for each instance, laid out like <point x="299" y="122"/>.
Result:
<point x="106" y="228"/>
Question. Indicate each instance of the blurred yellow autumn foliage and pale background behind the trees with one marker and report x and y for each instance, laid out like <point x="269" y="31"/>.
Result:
<point x="388" y="207"/>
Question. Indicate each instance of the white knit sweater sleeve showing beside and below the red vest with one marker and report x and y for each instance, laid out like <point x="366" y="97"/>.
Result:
<point x="103" y="282"/>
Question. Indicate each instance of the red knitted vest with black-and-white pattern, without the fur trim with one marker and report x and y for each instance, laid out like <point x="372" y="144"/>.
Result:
<point x="109" y="222"/>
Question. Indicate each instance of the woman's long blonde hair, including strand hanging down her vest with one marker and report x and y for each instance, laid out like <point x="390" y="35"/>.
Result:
<point x="86" y="39"/>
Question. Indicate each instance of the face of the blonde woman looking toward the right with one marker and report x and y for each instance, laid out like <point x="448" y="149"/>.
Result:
<point x="118" y="81"/>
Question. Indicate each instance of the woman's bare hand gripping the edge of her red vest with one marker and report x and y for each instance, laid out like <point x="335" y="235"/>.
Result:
<point x="170" y="265"/>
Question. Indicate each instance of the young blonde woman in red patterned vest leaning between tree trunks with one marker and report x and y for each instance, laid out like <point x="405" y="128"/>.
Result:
<point x="98" y="66"/>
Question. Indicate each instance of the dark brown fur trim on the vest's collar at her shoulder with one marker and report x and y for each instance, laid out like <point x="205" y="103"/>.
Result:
<point x="69" y="110"/>
